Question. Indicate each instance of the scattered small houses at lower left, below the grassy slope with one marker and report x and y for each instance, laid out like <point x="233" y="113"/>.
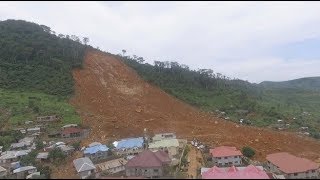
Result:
<point x="10" y="165"/>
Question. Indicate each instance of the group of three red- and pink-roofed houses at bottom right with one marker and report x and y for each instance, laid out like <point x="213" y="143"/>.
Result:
<point x="228" y="165"/>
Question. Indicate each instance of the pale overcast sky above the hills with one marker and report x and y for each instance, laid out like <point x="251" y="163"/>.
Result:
<point x="253" y="41"/>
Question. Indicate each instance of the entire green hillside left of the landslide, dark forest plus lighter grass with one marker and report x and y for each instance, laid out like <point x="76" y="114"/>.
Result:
<point x="35" y="72"/>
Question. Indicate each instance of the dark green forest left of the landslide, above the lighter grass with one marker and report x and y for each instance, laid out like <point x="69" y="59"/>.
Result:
<point x="33" y="58"/>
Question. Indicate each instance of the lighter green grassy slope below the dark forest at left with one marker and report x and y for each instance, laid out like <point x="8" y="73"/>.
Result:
<point x="18" y="107"/>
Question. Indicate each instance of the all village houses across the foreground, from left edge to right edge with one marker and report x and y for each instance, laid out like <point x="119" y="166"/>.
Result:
<point x="145" y="157"/>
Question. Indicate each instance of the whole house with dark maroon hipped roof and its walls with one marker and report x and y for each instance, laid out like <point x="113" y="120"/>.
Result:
<point x="148" y="164"/>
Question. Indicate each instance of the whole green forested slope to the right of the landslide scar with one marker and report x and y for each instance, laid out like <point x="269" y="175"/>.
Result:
<point x="239" y="99"/>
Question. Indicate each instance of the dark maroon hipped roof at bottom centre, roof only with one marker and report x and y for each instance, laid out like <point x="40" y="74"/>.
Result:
<point x="149" y="159"/>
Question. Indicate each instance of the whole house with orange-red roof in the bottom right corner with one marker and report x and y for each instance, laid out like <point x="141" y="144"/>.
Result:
<point x="292" y="167"/>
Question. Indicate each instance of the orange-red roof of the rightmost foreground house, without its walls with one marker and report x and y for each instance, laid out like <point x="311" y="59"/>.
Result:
<point x="289" y="163"/>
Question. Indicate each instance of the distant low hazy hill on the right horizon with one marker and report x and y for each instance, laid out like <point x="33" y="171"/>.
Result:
<point x="307" y="83"/>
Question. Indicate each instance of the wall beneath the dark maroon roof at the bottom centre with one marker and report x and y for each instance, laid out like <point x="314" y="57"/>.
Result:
<point x="145" y="172"/>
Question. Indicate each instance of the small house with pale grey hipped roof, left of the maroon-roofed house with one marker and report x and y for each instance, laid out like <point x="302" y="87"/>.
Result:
<point x="84" y="167"/>
